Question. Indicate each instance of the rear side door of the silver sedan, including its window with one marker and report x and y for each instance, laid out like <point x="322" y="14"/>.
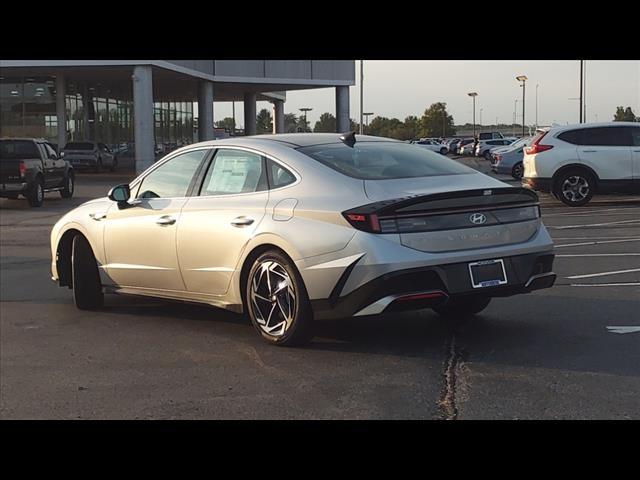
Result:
<point x="217" y="224"/>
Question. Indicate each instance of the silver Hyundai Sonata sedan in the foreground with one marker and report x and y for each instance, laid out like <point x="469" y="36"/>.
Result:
<point x="307" y="227"/>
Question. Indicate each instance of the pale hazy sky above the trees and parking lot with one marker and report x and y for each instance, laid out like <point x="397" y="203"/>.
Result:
<point x="398" y="88"/>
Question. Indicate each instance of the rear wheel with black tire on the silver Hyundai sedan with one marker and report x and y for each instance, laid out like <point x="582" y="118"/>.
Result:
<point x="299" y="329"/>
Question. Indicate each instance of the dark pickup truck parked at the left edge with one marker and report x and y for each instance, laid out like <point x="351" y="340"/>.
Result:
<point x="30" y="167"/>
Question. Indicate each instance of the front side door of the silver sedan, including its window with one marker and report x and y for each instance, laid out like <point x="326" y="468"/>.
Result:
<point x="140" y="239"/>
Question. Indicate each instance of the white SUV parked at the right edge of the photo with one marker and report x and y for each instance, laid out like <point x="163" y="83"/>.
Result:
<point x="575" y="161"/>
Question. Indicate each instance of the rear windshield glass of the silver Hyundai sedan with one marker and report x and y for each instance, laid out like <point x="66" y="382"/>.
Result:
<point x="384" y="160"/>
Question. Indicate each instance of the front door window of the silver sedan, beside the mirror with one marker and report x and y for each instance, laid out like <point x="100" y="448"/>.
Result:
<point x="172" y="178"/>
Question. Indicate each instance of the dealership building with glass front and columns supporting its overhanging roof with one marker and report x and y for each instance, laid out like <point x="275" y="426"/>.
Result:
<point x="139" y="104"/>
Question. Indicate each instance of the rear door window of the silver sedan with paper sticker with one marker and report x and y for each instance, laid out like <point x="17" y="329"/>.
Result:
<point x="234" y="171"/>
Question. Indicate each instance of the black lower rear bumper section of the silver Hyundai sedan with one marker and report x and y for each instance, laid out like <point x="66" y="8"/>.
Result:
<point x="420" y="288"/>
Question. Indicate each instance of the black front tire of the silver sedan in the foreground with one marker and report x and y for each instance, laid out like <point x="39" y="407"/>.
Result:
<point x="87" y="289"/>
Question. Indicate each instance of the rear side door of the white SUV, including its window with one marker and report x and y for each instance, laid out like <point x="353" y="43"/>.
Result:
<point x="607" y="150"/>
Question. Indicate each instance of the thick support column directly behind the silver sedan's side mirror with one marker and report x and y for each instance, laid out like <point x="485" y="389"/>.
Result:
<point x="143" y="117"/>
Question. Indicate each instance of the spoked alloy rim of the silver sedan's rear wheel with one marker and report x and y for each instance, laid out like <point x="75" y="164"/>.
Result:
<point x="273" y="298"/>
